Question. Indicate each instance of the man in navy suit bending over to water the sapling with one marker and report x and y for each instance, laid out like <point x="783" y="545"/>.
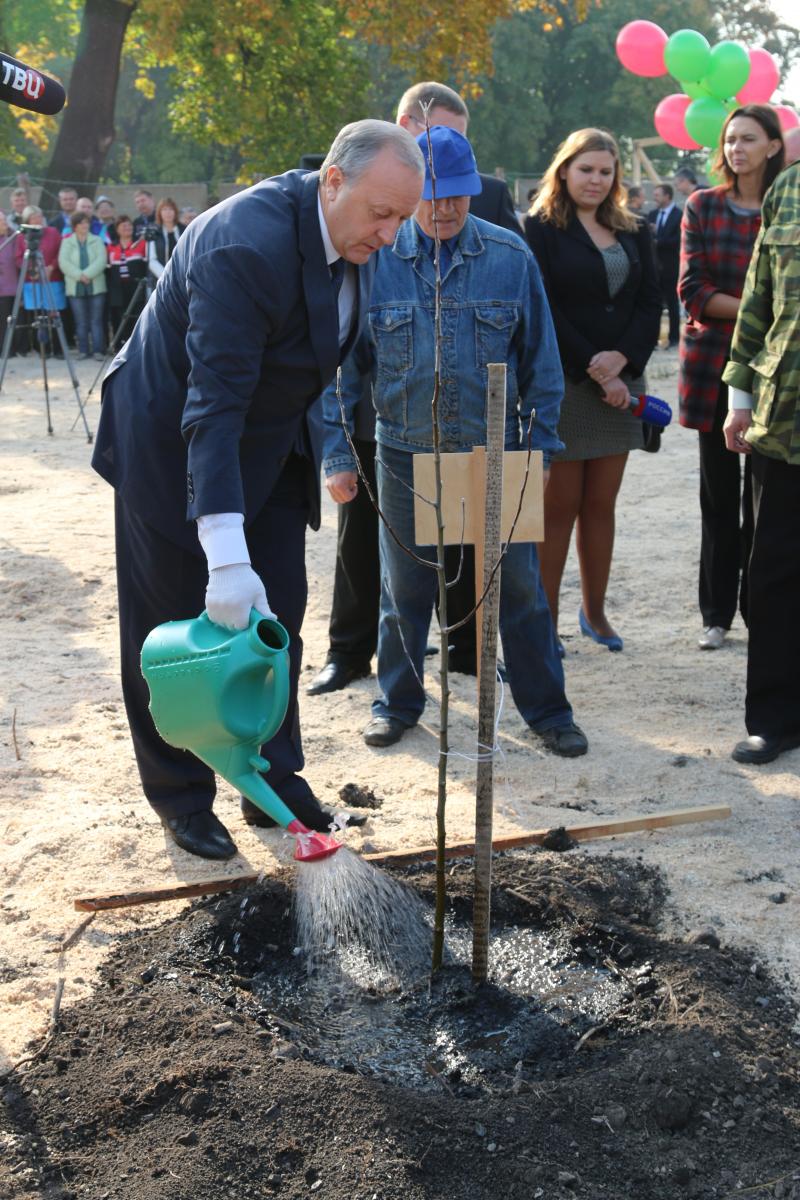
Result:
<point x="209" y="435"/>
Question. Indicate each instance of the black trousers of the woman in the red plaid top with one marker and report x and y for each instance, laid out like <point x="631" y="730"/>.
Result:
<point x="727" y="526"/>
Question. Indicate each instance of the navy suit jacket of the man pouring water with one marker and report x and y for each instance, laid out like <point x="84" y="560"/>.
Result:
<point x="215" y="387"/>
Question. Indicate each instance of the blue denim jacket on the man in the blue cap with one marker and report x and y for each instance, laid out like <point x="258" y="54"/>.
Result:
<point x="494" y="310"/>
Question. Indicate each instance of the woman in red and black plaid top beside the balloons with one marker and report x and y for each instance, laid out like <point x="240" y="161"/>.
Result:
<point x="718" y="236"/>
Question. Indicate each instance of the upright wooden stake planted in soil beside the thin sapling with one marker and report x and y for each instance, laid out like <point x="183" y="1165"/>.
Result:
<point x="488" y="551"/>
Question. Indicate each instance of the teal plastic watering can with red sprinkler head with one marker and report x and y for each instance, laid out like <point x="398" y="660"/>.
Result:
<point x="222" y="694"/>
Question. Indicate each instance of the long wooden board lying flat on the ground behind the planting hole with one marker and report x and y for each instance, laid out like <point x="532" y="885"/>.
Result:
<point x="422" y="855"/>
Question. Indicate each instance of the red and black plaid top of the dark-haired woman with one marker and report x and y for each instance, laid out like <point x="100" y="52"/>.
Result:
<point x="715" y="250"/>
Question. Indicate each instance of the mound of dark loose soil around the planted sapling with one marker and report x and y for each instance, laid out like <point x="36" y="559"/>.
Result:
<point x="184" y="1078"/>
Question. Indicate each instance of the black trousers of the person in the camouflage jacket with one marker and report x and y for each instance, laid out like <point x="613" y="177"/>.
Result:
<point x="773" y="700"/>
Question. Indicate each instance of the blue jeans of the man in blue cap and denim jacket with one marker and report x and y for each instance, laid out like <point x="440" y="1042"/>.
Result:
<point x="407" y="595"/>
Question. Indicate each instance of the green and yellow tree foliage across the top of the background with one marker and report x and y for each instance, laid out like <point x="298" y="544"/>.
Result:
<point x="245" y="87"/>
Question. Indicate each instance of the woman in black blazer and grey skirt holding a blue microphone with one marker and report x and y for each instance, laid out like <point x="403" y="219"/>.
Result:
<point x="599" y="269"/>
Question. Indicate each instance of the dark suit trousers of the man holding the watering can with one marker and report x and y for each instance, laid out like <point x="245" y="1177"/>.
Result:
<point x="158" y="581"/>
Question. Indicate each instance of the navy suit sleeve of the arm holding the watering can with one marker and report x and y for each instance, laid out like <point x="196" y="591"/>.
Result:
<point x="233" y="309"/>
